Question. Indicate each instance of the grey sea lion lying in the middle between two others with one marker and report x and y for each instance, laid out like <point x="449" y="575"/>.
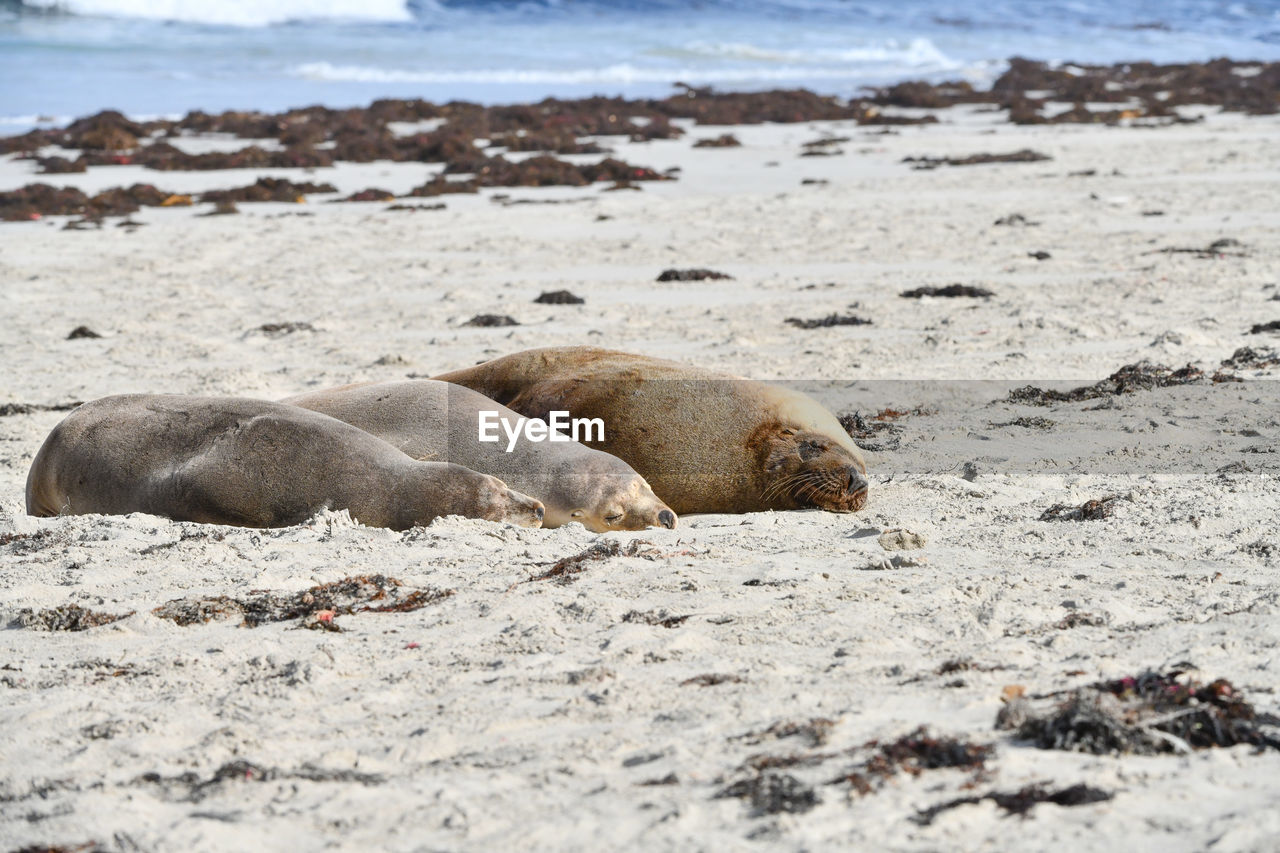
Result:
<point x="429" y="419"/>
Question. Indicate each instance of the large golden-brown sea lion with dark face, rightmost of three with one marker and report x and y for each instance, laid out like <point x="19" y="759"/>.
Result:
<point x="706" y="443"/>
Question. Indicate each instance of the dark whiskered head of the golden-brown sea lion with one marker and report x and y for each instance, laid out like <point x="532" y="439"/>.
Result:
<point x="808" y="468"/>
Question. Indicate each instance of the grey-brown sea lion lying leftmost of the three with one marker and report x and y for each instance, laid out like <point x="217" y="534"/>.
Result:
<point x="248" y="463"/>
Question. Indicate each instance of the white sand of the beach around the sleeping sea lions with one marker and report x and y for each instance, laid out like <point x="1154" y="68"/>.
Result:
<point x="529" y="713"/>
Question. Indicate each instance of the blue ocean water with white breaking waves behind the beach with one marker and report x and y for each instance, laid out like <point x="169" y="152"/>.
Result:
<point x="67" y="58"/>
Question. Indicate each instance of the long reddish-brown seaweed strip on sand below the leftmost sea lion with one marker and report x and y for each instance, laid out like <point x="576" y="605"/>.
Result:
<point x="363" y="594"/>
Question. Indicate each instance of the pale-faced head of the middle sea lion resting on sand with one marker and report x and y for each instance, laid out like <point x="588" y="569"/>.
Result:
<point x="609" y="500"/>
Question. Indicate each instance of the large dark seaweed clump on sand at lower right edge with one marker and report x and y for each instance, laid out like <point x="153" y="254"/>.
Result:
<point x="1149" y="714"/>
